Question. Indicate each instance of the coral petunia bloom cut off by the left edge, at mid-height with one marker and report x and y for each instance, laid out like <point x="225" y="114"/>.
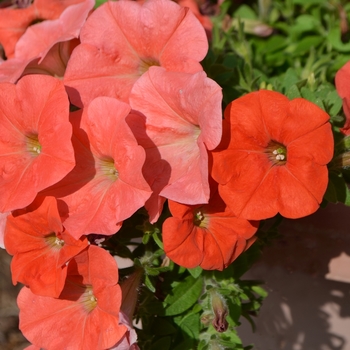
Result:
<point x="35" y="139"/>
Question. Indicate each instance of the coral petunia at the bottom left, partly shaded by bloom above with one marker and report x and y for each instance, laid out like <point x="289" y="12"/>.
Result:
<point x="85" y="316"/>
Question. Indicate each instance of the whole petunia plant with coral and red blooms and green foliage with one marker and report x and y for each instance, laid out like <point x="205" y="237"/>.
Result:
<point x="174" y="135"/>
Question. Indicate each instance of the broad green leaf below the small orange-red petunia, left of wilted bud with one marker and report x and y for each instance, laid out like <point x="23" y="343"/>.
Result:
<point x="183" y="296"/>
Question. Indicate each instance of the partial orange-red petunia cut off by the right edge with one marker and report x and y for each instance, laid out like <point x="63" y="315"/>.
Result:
<point x="342" y="79"/>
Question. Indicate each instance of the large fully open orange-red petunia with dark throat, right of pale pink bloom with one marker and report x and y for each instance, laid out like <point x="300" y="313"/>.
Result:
<point x="273" y="156"/>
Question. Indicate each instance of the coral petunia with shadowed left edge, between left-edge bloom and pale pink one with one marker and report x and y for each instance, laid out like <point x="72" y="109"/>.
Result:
<point x="106" y="186"/>
